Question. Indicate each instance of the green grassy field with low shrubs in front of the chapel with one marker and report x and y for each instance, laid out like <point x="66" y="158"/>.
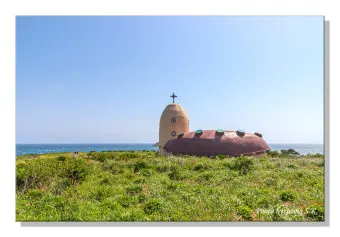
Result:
<point x="142" y="186"/>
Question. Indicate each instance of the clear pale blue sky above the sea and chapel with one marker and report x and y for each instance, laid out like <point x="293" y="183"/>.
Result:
<point x="108" y="79"/>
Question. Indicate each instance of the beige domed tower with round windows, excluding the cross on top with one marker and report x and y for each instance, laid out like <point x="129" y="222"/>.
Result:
<point x="173" y="121"/>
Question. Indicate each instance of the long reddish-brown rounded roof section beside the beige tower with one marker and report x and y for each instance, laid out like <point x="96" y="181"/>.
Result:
<point x="210" y="143"/>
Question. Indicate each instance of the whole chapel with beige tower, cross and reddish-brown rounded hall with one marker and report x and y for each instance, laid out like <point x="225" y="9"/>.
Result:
<point x="175" y="137"/>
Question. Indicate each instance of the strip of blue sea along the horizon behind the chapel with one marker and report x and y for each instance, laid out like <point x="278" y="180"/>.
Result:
<point x="22" y="149"/>
